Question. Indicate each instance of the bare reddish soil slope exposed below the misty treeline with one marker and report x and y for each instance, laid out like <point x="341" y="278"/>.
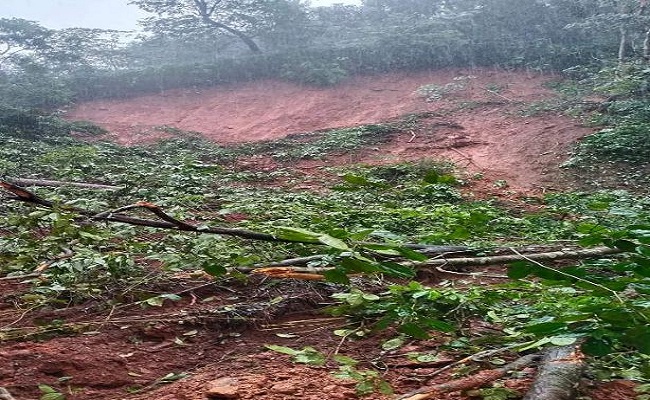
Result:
<point x="481" y="125"/>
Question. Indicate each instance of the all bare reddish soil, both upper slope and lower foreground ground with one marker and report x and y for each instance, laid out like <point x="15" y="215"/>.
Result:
<point x="132" y="352"/>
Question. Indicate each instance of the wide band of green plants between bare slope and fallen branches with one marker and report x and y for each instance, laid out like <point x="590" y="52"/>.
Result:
<point x="194" y="179"/>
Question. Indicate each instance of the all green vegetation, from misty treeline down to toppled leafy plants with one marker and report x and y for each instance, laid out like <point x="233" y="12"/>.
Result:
<point x="599" y="45"/>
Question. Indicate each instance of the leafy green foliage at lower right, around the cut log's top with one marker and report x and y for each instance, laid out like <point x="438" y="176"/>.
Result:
<point x="603" y="304"/>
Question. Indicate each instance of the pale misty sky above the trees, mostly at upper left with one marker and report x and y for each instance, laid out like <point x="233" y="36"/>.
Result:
<point x="106" y="14"/>
